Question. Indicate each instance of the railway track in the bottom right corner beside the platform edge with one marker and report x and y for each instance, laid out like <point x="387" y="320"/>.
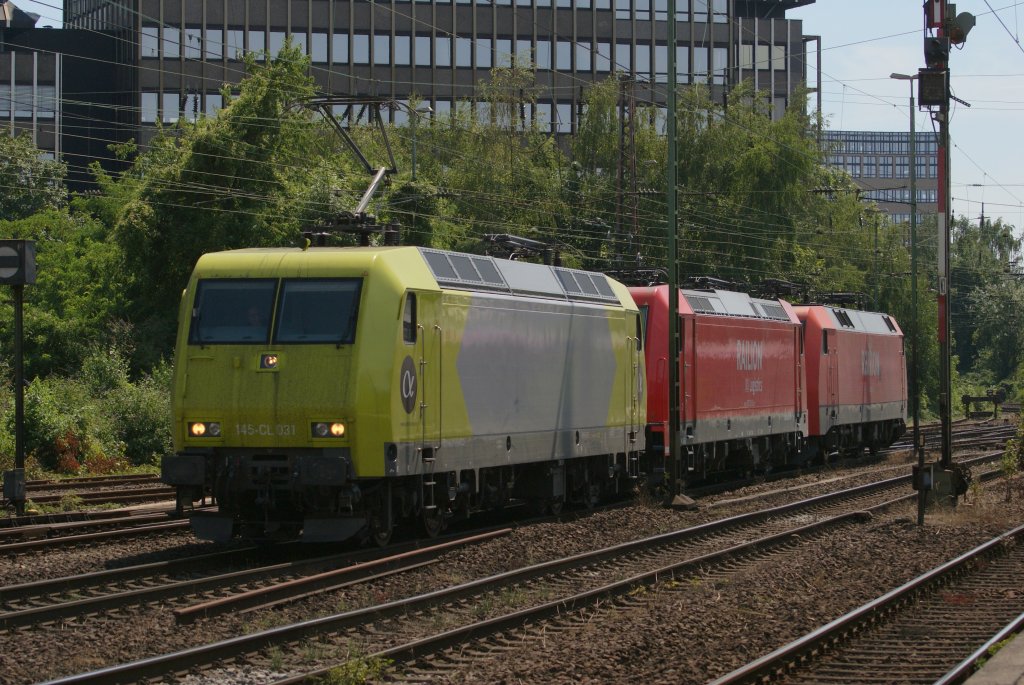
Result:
<point x="934" y="629"/>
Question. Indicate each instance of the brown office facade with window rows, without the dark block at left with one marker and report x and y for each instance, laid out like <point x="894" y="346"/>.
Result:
<point x="440" y="52"/>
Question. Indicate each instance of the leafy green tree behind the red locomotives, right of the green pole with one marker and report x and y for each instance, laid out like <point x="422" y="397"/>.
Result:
<point x="749" y="183"/>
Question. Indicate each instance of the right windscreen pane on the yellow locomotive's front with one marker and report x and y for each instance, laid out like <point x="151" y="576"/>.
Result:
<point x="318" y="311"/>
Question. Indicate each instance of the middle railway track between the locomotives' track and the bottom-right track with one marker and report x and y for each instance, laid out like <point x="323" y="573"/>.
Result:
<point x="408" y="628"/>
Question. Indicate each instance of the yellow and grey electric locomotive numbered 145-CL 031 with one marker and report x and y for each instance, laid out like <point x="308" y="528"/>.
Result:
<point x="331" y="393"/>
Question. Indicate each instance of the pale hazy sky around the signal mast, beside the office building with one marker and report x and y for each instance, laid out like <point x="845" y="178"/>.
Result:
<point x="863" y="42"/>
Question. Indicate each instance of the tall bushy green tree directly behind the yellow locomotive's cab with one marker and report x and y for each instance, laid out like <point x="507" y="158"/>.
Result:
<point x="255" y="176"/>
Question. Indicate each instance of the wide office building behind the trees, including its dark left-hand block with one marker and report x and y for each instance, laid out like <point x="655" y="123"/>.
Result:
<point x="120" y="67"/>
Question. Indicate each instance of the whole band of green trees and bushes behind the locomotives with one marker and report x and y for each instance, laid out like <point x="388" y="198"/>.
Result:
<point x="756" y="203"/>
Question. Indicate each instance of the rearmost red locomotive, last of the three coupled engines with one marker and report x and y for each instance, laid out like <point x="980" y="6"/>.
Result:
<point x="857" y="373"/>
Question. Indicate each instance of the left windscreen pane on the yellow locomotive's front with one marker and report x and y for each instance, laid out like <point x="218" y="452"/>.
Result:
<point x="232" y="312"/>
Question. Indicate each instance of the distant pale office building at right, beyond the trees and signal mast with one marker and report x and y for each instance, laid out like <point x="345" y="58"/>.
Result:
<point x="880" y="165"/>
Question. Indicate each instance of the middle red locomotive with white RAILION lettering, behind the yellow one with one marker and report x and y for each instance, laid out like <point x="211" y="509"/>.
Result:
<point x="742" y="397"/>
